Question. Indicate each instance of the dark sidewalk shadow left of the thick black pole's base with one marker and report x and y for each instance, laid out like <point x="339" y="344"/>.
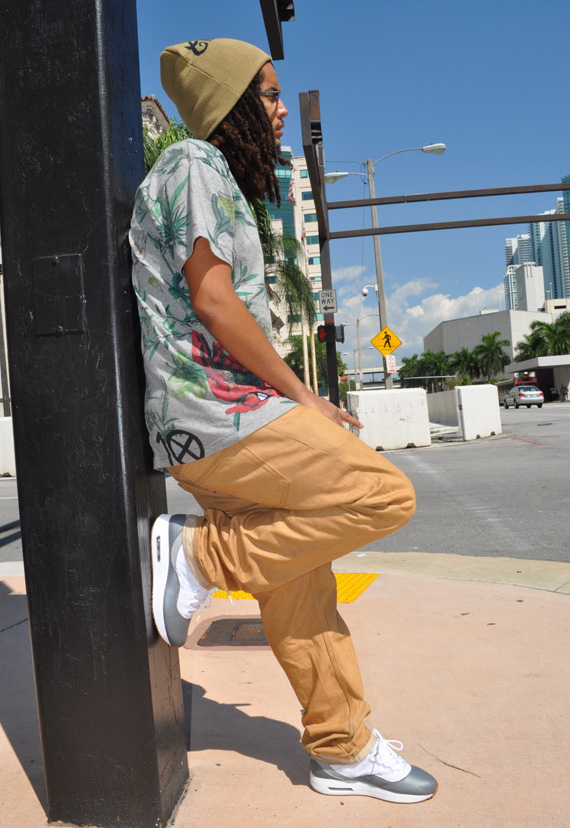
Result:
<point x="18" y="709"/>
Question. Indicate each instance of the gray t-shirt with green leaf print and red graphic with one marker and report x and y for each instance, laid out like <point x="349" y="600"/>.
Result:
<point x="198" y="398"/>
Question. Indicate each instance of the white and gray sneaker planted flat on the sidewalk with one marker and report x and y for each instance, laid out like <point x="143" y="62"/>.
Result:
<point x="383" y="774"/>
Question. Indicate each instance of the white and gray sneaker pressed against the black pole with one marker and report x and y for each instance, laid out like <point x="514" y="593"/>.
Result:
<point x="176" y="594"/>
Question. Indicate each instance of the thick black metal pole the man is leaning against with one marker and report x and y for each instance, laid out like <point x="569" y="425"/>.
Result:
<point x="109" y="695"/>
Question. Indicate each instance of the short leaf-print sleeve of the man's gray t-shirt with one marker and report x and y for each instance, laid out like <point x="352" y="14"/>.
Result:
<point x="202" y="195"/>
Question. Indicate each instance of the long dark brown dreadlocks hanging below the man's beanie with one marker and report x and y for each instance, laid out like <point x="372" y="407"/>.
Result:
<point x="246" y="139"/>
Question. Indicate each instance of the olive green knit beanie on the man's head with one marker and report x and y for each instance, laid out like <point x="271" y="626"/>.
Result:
<point x="206" y="78"/>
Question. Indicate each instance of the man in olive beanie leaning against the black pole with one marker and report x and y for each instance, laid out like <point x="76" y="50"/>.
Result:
<point x="284" y="487"/>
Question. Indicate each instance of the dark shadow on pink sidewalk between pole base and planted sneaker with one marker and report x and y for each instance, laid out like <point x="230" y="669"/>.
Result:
<point x="212" y="725"/>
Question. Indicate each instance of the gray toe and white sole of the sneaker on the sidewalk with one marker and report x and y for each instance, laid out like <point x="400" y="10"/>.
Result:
<point x="417" y="786"/>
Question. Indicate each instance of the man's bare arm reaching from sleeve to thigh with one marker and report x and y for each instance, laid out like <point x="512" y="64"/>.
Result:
<point x="232" y="325"/>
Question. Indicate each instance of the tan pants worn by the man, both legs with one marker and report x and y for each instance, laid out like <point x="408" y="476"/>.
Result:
<point x="279" y="506"/>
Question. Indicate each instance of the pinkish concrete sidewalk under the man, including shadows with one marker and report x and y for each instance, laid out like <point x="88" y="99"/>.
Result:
<point x="465" y="660"/>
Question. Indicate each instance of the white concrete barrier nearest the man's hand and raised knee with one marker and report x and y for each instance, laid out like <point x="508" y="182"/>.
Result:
<point x="392" y="419"/>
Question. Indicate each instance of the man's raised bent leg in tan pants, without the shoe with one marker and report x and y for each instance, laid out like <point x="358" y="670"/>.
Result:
<point x="288" y="499"/>
